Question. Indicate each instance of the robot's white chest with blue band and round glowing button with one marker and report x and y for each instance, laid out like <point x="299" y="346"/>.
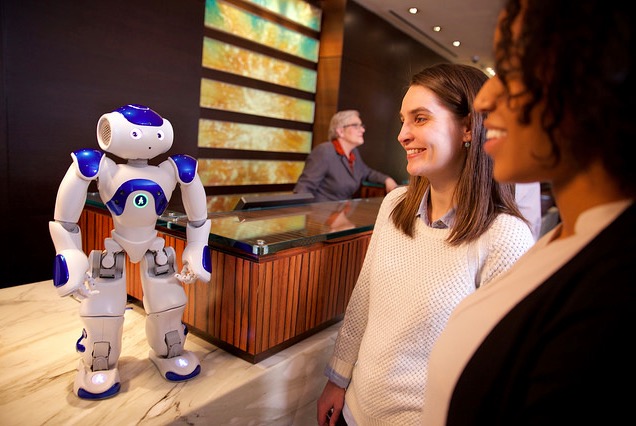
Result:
<point x="136" y="196"/>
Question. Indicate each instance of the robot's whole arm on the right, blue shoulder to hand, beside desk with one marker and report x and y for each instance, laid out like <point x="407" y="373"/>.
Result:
<point x="196" y="256"/>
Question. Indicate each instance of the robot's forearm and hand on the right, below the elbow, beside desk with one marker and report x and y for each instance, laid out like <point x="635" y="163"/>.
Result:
<point x="196" y="256"/>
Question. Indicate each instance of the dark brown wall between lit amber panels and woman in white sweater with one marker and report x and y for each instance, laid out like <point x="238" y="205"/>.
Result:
<point x="378" y="61"/>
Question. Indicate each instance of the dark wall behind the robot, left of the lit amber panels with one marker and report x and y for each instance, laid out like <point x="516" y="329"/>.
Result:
<point x="65" y="63"/>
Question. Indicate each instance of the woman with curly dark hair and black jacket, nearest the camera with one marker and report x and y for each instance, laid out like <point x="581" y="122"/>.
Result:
<point x="548" y="342"/>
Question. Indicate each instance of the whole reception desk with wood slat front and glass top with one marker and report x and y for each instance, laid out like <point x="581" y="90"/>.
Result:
<point x="279" y="275"/>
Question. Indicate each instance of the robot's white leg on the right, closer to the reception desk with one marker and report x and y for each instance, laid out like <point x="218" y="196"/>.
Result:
<point x="164" y="302"/>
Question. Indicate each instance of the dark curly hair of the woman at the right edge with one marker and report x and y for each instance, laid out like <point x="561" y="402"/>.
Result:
<point x="577" y="58"/>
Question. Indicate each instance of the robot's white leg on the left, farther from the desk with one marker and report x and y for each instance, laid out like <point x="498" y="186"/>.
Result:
<point x="103" y="318"/>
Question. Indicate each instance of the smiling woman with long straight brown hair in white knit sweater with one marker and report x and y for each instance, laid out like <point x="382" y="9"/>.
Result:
<point x="450" y="231"/>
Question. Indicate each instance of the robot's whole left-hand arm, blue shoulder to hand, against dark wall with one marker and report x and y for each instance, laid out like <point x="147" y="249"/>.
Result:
<point x="70" y="271"/>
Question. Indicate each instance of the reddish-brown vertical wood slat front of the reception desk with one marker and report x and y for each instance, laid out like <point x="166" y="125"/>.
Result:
<point x="256" y="306"/>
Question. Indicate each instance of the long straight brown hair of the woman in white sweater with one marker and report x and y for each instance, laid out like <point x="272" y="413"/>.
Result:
<point x="479" y="197"/>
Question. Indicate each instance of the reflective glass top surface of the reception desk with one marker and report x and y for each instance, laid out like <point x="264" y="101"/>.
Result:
<point x="268" y="230"/>
